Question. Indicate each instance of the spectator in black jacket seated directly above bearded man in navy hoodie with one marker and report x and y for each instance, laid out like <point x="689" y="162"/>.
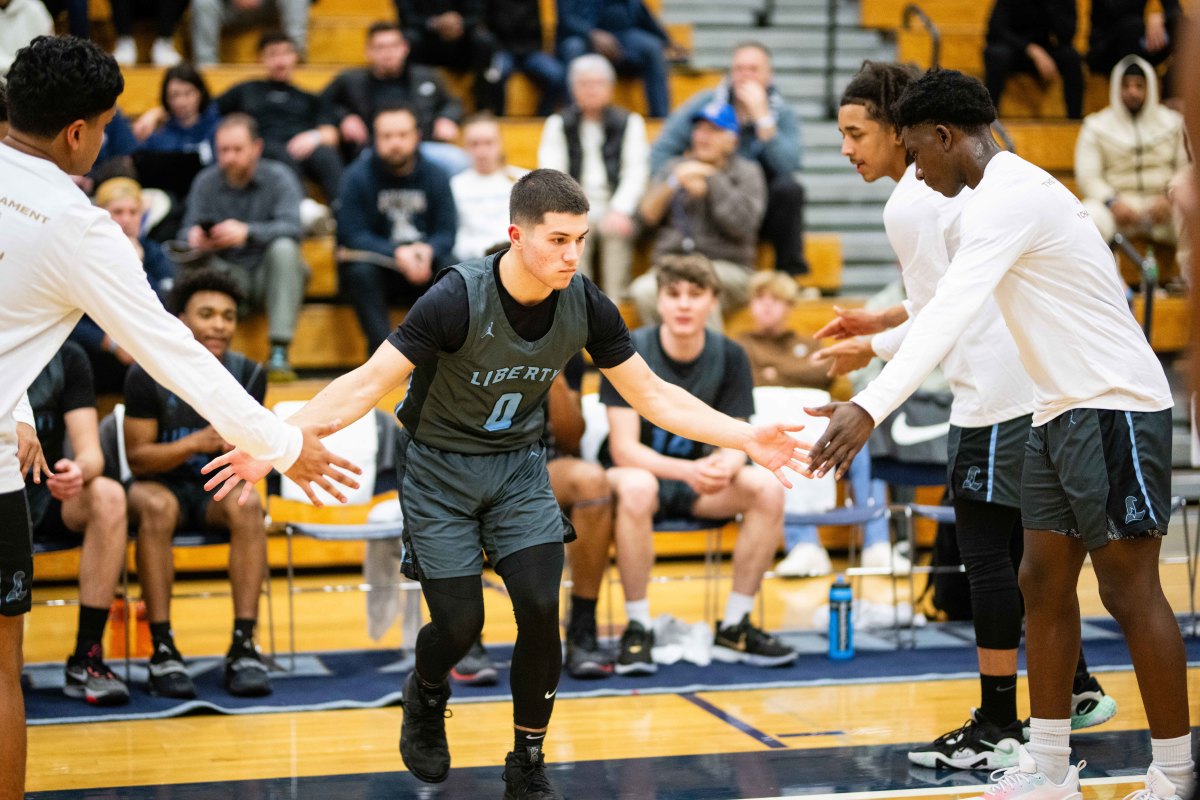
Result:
<point x="388" y="80"/>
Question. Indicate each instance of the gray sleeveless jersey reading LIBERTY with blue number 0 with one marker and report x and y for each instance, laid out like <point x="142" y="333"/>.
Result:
<point x="488" y="398"/>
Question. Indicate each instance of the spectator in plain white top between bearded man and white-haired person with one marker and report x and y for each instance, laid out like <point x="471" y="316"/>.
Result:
<point x="482" y="194"/>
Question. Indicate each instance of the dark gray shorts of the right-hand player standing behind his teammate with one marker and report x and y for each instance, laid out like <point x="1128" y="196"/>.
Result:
<point x="985" y="465"/>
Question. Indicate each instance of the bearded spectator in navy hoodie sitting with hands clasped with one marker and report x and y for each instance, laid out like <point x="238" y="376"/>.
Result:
<point x="395" y="206"/>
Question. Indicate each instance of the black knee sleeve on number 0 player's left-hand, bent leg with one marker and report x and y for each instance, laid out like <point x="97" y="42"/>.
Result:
<point x="457" y="619"/>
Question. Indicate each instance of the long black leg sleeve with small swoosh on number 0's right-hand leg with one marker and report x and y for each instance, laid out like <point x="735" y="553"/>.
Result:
<point x="533" y="579"/>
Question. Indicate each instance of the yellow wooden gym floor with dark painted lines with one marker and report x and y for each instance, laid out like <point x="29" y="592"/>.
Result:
<point x="843" y="741"/>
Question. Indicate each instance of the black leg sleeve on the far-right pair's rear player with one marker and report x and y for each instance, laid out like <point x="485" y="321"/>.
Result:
<point x="986" y="533"/>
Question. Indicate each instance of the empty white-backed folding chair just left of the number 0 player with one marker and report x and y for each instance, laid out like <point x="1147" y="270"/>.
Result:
<point x="370" y="443"/>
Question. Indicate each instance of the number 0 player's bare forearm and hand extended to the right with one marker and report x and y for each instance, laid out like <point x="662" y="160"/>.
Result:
<point x="674" y="410"/>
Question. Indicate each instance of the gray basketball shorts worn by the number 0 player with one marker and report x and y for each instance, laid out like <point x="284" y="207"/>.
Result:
<point x="460" y="506"/>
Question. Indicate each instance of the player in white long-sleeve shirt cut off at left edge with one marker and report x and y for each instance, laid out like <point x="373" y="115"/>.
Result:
<point x="62" y="258"/>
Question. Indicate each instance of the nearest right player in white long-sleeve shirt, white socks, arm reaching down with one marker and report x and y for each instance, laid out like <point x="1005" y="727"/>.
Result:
<point x="1096" y="479"/>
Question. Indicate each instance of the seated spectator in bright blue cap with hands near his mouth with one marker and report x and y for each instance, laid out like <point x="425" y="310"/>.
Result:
<point x="711" y="201"/>
